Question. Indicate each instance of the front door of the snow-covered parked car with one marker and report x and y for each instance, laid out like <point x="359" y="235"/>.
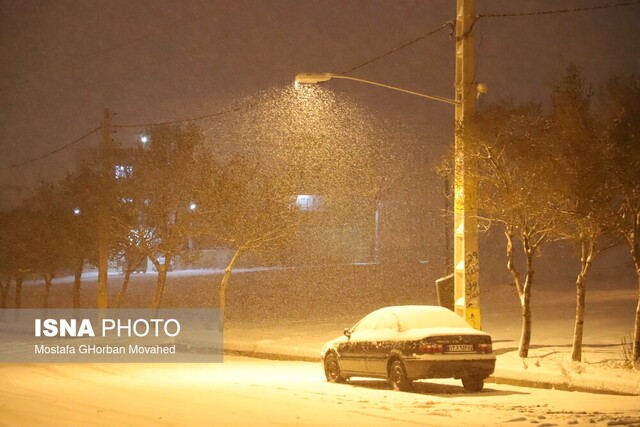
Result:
<point x="353" y="352"/>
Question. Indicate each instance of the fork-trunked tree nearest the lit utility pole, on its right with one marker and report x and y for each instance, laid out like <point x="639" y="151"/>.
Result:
<point x="513" y="180"/>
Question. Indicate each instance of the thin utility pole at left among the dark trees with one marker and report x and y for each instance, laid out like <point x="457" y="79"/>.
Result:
<point x="103" y="240"/>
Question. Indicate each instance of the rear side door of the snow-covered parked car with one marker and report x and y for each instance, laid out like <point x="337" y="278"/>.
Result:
<point x="382" y="341"/>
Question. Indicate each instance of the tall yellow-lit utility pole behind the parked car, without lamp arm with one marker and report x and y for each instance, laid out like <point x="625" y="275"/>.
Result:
<point x="465" y="258"/>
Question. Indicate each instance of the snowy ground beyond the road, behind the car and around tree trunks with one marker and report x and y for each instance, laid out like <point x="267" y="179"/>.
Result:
<point x="270" y="314"/>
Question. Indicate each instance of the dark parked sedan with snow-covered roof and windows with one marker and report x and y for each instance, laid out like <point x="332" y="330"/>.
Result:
<point x="407" y="343"/>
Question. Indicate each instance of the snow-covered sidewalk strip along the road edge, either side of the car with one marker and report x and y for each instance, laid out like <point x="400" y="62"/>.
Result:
<point x="548" y="367"/>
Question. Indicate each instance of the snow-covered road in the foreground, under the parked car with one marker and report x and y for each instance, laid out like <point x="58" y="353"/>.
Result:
<point x="244" y="391"/>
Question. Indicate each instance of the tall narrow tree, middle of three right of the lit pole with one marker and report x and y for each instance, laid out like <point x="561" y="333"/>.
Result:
<point x="580" y="180"/>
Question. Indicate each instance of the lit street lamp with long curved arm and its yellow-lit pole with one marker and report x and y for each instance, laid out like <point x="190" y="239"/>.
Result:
<point x="466" y="265"/>
